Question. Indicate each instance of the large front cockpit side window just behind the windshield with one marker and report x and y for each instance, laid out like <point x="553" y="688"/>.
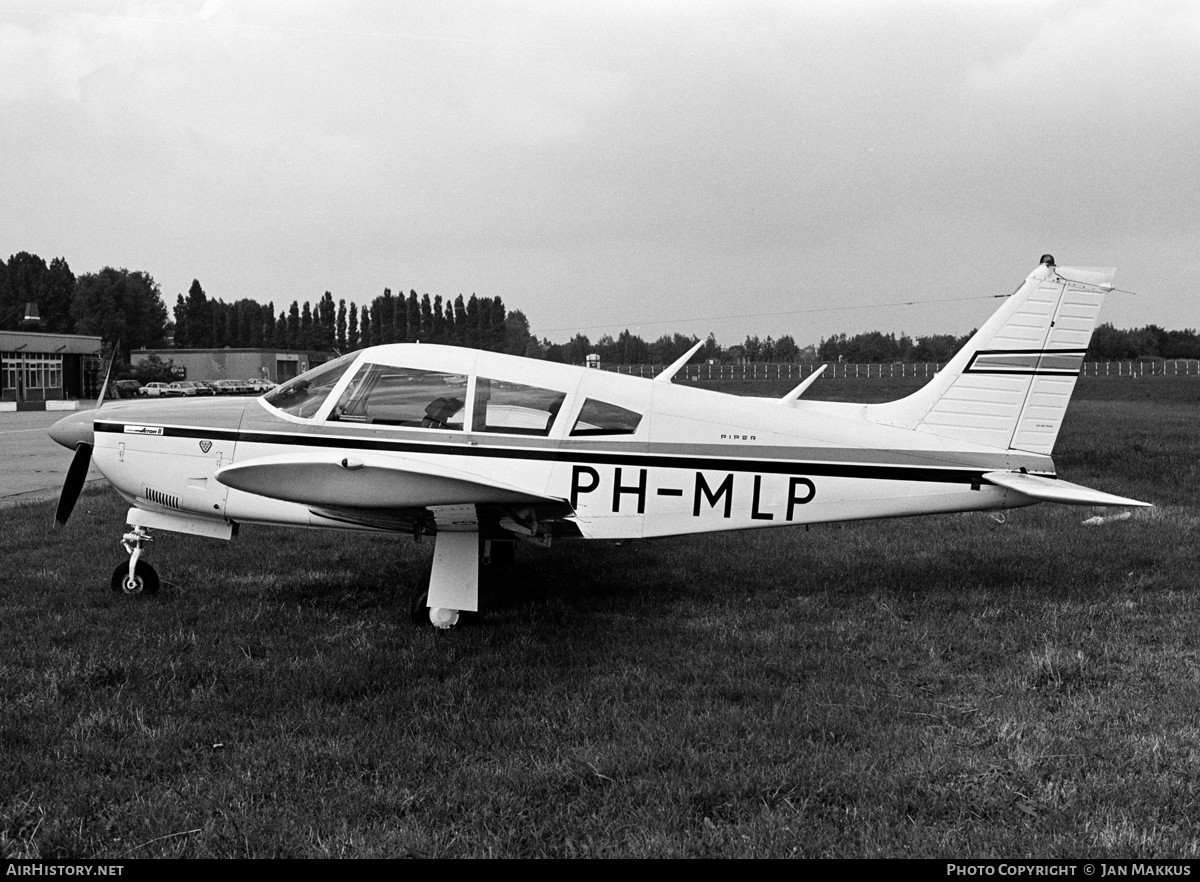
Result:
<point x="404" y="397"/>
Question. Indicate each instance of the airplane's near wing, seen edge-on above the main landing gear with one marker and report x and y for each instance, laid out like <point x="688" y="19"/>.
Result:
<point x="371" y="483"/>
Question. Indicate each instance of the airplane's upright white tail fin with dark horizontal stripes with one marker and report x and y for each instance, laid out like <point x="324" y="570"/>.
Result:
<point x="1010" y="386"/>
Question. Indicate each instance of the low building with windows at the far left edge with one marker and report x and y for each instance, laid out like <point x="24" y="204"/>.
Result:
<point x="40" y="368"/>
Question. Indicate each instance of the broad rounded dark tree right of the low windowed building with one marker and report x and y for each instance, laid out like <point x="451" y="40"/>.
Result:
<point x="117" y="304"/>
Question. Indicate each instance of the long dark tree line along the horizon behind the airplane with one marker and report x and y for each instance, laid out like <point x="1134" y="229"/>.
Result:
<point x="128" y="307"/>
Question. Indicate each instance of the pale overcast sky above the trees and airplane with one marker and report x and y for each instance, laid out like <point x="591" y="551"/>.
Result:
<point x="730" y="167"/>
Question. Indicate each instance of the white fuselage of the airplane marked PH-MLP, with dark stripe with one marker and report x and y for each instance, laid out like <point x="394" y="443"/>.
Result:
<point x="698" y="461"/>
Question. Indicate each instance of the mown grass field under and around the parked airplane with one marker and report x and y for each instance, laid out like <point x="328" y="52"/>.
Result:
<point x="921" y="688"/>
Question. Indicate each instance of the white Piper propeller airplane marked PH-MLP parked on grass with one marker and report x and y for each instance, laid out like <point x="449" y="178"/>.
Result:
<point x="484" y="451"/>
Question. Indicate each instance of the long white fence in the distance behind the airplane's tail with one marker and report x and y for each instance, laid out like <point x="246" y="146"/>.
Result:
<point x="920" y="370"/>
